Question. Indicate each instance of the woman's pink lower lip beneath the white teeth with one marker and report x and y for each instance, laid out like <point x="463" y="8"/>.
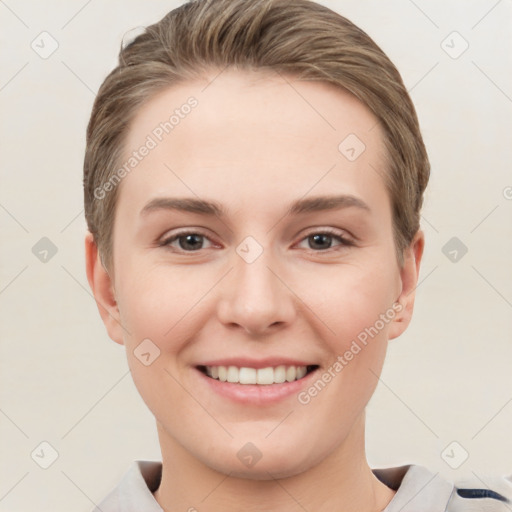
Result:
<point x="258" y="394"/>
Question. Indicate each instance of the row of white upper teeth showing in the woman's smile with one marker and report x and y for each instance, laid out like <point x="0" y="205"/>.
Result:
<point x="264" y="376"/>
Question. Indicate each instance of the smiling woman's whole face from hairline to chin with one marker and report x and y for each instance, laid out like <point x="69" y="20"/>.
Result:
<point x="255" y="310"/>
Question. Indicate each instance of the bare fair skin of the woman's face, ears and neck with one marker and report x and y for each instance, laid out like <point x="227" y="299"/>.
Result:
<point x="255" y="143"/>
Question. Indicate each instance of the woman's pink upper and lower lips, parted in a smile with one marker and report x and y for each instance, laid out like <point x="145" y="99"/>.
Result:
<point x="255" y="394"/>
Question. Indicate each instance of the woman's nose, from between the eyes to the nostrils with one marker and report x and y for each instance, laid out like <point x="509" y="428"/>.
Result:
<point x="255" y="297"/>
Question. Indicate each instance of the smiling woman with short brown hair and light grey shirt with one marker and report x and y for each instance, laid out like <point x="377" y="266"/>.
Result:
<point x="254" y="175"/>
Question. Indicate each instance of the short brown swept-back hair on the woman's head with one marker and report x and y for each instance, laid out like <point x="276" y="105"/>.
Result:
<point x="299" y="38"/>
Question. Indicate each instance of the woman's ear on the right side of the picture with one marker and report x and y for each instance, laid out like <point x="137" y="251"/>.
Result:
<point x="409" y="278"/>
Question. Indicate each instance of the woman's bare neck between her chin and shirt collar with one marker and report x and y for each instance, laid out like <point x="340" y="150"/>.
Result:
<point x="342" y="482"/>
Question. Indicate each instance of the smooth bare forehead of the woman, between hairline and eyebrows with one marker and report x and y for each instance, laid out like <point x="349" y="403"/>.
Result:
<point x="251" y="136"/>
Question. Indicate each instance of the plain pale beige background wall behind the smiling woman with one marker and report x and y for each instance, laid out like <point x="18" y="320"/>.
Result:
<point x="63" y="382"/>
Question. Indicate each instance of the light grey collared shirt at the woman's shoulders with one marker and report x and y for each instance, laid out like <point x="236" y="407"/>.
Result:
<point x="418" y="490"/>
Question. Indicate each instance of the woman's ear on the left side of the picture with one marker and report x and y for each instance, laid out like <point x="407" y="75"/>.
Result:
<point x="102" y="288"/>
